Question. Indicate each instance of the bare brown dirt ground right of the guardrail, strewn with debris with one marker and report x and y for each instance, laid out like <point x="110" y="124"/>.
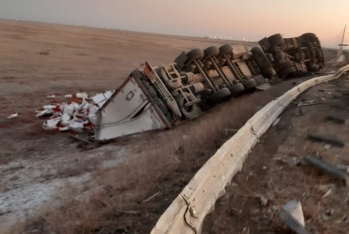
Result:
<point x="274" y="170"/>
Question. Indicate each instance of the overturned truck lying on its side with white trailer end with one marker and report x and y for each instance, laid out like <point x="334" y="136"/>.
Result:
<point x="159" y="97"/>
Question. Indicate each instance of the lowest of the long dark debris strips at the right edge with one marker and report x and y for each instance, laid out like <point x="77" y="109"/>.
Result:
<point x="328" y="168"/>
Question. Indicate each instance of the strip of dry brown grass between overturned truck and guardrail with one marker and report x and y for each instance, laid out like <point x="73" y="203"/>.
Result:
<point x="165" y="162"/>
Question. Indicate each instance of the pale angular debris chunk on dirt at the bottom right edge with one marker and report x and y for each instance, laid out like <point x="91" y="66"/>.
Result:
<point x="291" y="214"/>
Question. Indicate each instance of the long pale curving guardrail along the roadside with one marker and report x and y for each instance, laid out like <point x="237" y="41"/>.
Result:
<point x="198" y="198"/>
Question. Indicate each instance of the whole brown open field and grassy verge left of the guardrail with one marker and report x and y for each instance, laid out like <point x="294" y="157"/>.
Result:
<point x="47" y="183"/>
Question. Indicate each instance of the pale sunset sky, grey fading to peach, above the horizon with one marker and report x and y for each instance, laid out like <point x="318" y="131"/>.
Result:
<point x="251" y="19"/>
